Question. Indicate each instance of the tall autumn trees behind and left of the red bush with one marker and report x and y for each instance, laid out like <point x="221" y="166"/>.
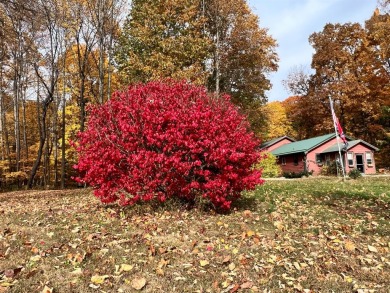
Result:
<point x="57" y="57"/>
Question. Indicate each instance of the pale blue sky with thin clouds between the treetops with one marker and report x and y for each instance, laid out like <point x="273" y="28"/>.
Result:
<point x="291" y="22"/>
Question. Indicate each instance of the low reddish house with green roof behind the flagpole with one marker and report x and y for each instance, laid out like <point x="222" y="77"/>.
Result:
<point x="314" y="153"/>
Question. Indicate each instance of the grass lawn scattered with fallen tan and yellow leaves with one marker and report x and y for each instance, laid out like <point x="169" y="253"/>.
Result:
<point x="308" y="235"/>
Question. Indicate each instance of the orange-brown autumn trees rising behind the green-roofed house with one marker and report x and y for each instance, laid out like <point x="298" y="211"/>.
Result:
<point x="350" y="64"/>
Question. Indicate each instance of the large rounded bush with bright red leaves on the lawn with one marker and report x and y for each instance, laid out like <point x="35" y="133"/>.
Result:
<point x="167" y="140"/>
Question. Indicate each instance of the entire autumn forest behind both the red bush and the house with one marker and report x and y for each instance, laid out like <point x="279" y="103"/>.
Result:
<point x="58" y="56"/>
